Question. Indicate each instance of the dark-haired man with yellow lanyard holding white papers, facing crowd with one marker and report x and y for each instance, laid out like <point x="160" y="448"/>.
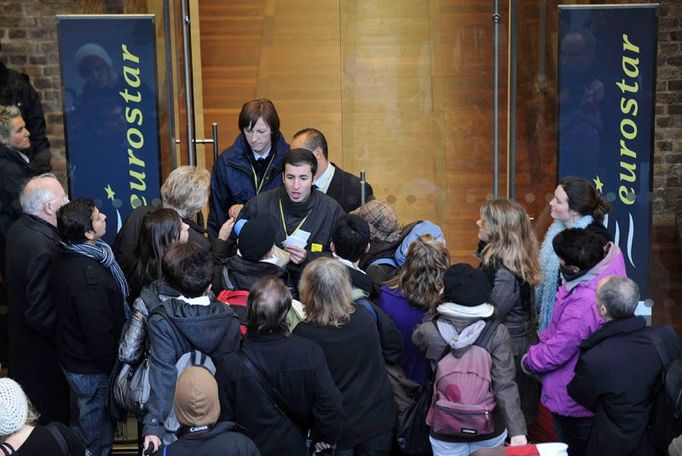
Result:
<point x="305" y="215"/>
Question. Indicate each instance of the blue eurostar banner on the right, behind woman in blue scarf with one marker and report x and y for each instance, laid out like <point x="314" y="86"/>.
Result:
<point x="607" y="83"/>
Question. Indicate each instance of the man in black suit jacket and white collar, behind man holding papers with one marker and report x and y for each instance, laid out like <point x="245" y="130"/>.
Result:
<point x="344" y="187"/>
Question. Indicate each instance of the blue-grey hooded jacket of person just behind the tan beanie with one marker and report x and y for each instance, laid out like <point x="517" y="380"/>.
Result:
<point x="175" y="328"/>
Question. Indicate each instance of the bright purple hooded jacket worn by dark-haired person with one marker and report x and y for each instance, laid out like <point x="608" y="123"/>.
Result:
<point x="574" y="319"/>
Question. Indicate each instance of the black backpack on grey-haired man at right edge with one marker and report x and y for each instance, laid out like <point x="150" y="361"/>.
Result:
<point x="665" y="422"/>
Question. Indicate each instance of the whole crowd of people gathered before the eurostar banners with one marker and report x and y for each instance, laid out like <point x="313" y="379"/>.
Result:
<point x="344" y="307"/>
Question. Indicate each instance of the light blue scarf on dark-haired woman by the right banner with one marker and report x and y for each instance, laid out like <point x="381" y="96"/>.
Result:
<point x="545" y="292"/>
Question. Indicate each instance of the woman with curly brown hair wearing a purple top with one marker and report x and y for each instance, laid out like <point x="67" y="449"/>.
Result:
<point x="413" y="291"/>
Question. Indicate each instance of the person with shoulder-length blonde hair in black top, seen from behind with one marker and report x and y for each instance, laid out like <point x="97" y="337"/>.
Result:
<point x="349" y="338"/>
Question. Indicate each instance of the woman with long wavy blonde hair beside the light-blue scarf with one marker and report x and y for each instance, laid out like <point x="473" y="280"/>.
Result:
<point x="508" y="250"/>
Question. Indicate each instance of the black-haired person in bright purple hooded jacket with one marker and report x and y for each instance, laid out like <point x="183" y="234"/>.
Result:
<point x="584" y="261"/>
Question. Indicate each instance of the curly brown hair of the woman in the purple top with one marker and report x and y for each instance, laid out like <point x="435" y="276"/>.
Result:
<point x="421" y="277"/>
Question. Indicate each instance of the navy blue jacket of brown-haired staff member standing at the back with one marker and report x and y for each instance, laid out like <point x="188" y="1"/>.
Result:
<point x="232" y="179"/>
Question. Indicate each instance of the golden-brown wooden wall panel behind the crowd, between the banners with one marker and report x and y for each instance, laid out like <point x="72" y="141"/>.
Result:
<point x="402" y="89"/>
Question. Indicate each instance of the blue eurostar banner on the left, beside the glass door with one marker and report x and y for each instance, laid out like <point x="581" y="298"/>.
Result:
<point x="108" y="69"/>
